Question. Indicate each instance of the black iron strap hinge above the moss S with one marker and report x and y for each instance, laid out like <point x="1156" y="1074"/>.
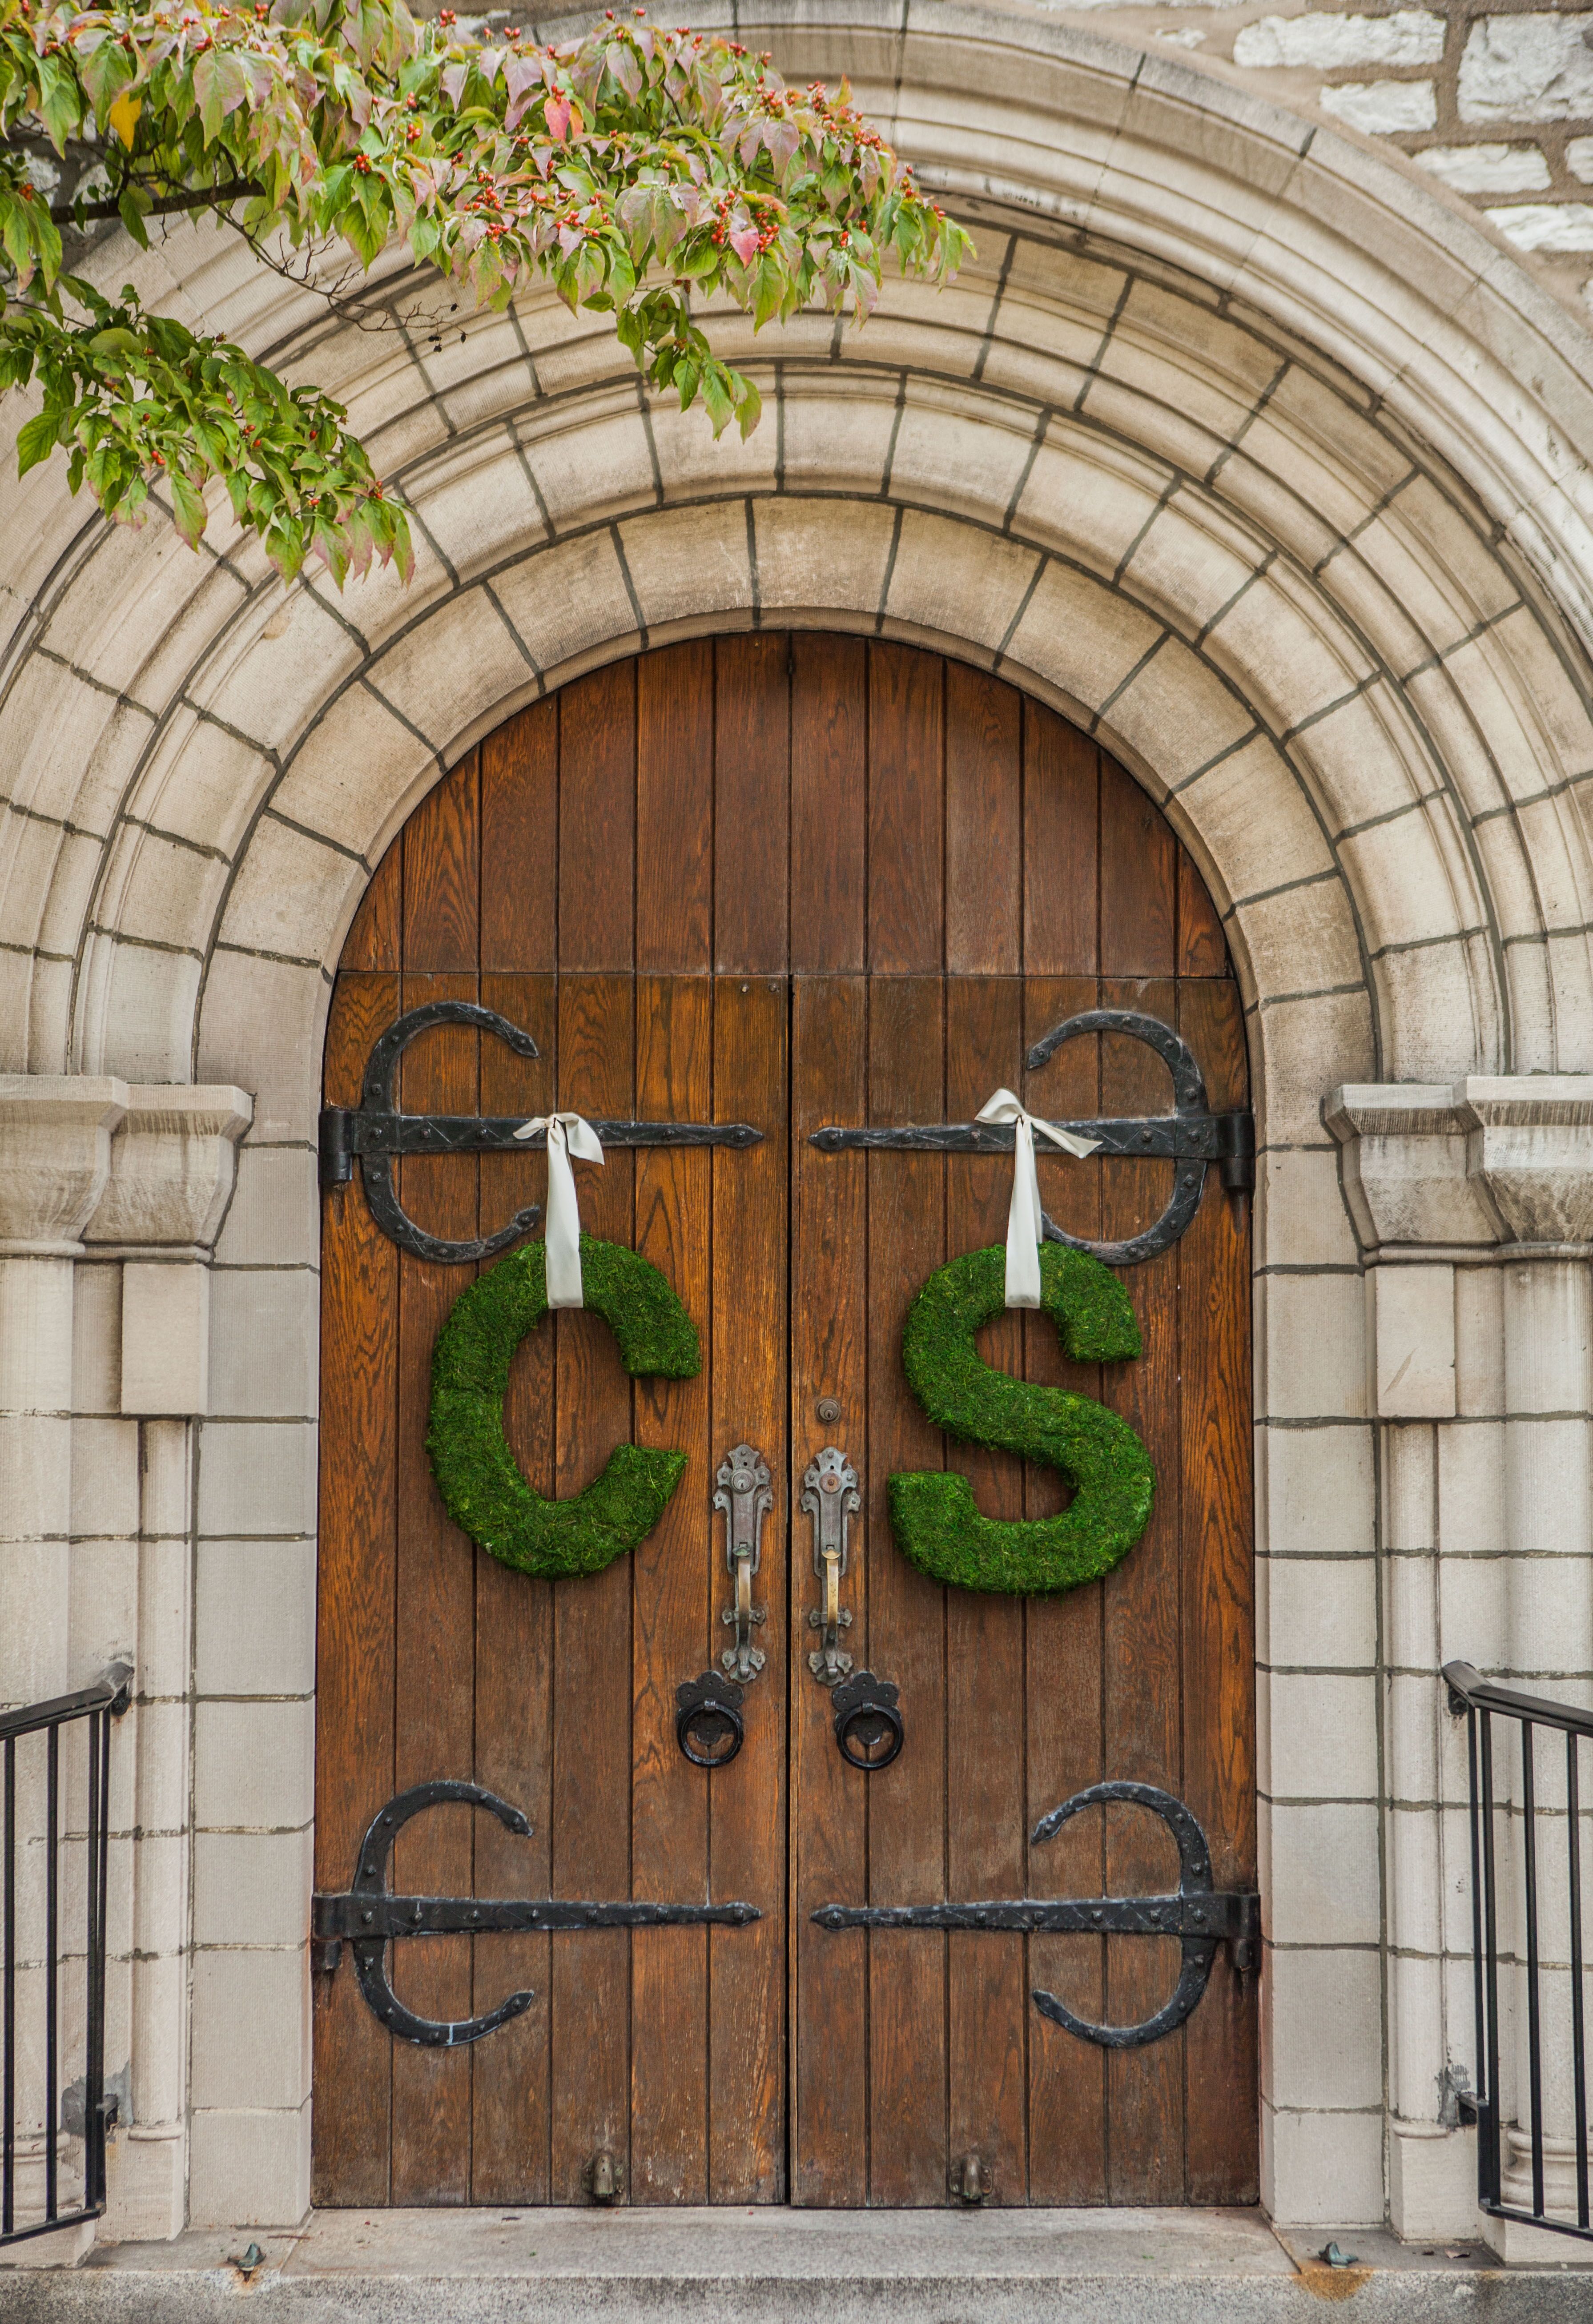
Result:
<point x="1190" y="1138"/>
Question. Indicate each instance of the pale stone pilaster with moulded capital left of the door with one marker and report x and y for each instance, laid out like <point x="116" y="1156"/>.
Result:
<point x="110" y="1203"/>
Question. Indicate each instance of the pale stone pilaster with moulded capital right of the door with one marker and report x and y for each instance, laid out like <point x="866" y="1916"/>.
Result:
<point x="1473" y="1205"/>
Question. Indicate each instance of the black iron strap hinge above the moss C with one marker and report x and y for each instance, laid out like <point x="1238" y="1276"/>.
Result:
<point x="378" y="1133"/>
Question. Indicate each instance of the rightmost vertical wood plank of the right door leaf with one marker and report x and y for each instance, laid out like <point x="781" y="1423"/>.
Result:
<point x="1220" y="1612"/>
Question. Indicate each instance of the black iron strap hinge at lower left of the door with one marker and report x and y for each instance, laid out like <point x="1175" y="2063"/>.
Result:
<point x="371" y="1918"/>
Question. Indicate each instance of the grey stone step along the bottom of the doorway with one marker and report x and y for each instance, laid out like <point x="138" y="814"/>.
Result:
<point x="790" y="2267"/>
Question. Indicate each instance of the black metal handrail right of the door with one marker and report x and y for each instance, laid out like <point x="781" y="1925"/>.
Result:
<point x="1483" y="1702"/>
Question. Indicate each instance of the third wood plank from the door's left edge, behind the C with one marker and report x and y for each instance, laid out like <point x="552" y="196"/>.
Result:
<point x="515" y="1644"/>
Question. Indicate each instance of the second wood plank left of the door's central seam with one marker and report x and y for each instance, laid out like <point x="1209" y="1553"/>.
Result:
<point x="671" y="1593"/>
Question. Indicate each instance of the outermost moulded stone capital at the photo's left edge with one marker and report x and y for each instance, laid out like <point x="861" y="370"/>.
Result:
<point x="55" y="1159"/>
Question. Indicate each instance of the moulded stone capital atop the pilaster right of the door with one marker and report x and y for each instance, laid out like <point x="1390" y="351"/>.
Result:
<point x="1473" y="1165"/>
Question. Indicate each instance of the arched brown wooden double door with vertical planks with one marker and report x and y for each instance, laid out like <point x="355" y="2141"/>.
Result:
<point x="792" y="882"/>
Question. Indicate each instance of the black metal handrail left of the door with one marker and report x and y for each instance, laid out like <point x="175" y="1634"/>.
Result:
<point x="106" y="1700"/>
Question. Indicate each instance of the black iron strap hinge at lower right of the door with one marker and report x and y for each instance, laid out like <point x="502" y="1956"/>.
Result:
<point x="1199" y="1914"/>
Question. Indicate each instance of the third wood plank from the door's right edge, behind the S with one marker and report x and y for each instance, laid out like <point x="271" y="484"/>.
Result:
<point x="1066" y="2079"/>
